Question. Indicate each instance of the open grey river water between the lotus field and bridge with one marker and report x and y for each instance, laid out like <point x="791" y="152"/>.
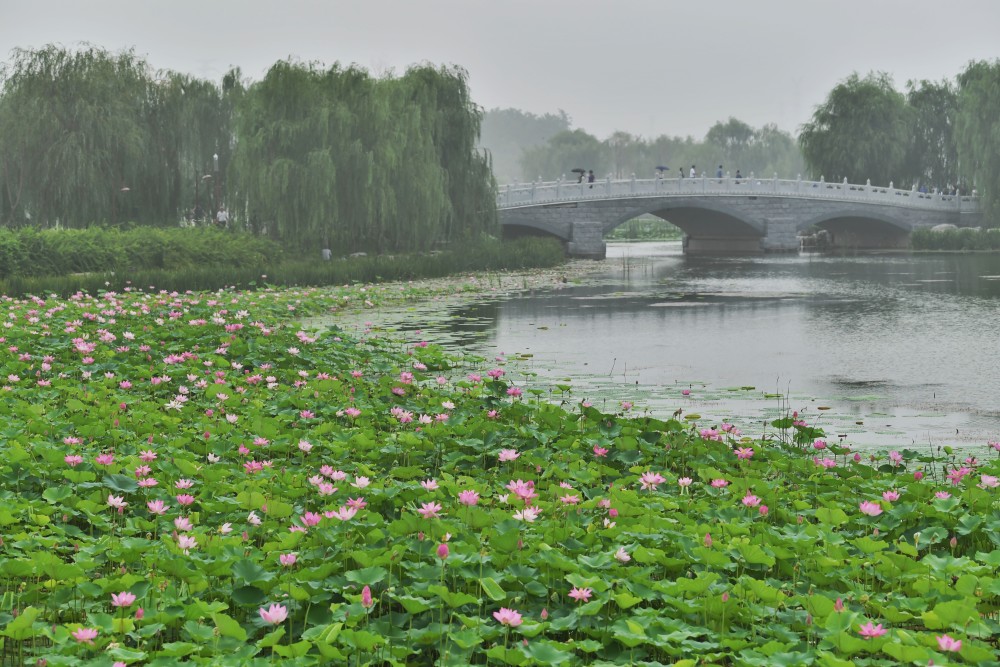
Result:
<point x="901" y="348"/>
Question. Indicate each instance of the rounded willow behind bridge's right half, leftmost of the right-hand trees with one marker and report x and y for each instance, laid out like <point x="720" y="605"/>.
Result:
<point x="860" y="132"/>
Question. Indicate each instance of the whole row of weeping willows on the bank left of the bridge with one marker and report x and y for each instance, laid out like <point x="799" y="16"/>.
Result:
<point x="307" y="156"/>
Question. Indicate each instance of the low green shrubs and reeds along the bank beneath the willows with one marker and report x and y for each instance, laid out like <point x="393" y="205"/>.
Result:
<point x="91" y="260"/>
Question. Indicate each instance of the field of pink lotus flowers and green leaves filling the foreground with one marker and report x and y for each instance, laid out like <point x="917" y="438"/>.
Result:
<point x="195" y="478"/>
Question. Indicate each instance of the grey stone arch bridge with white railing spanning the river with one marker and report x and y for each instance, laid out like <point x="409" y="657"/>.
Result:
<point x="729" y="215"/>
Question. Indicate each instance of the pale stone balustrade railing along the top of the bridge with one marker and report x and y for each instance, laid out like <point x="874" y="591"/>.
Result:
<point x="551" y="192"/>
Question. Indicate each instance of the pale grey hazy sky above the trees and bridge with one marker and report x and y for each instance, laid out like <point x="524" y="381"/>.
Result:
<point x="649" y="67"/>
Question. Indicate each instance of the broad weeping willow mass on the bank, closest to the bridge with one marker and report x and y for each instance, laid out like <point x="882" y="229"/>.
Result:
<point x="353" y="162"/>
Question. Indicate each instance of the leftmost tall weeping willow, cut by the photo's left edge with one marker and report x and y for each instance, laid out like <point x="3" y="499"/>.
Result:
<point x="72" y="141"/>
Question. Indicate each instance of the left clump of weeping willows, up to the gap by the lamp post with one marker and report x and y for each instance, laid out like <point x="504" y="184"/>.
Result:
<point x="92" y="137"/>
